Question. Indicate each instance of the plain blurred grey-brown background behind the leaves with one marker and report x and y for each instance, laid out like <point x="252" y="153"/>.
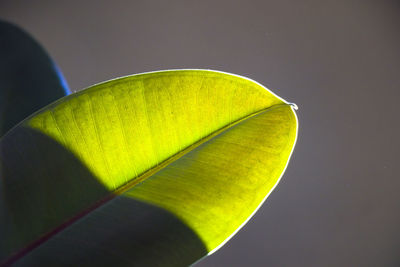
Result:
<point x="338" y="202"/>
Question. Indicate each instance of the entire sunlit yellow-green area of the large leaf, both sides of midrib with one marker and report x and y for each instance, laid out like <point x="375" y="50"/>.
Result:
<point x="206" y="146"/>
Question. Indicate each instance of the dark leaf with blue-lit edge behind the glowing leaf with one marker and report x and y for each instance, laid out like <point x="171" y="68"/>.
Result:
<point x="29" y="80"/>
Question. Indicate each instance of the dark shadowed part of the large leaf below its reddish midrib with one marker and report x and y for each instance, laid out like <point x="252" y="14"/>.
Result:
<point x="124" y="232"/>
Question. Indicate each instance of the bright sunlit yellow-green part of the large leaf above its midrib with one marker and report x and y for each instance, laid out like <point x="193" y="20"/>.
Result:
<point x="122" y="128"/>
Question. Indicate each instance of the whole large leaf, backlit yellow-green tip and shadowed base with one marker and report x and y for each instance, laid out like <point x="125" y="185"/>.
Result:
<point x="159" y="169"/>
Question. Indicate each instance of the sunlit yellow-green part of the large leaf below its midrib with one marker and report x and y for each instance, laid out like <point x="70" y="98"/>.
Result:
<point x="215" y="188"/>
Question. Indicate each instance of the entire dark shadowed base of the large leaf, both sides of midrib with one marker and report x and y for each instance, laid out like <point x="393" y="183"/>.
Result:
<point x="43" y="185"/>
